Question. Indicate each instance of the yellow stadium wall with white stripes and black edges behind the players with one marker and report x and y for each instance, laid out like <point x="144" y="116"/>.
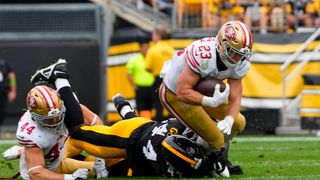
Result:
<point x="262" y="86"/>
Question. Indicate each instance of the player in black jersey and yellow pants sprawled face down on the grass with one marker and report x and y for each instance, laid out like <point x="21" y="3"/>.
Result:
<point x="138" y="139"/>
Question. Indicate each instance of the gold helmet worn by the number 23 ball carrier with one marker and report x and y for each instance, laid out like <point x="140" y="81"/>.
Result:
<point x="234" y="43"/>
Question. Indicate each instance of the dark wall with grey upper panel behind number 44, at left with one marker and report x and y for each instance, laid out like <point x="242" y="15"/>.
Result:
<point x="36" y="35"/>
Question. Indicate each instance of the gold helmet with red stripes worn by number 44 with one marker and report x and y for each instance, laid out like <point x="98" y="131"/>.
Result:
<point x="46" y="107"/>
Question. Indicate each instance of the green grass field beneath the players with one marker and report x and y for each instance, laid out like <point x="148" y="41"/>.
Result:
<point x="261" y="157"/>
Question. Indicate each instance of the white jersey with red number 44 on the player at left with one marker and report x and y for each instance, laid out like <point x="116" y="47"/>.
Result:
<point x="29" y="134"/>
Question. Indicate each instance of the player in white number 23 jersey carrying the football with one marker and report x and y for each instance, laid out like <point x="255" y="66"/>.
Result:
<point x="225" y="56"/>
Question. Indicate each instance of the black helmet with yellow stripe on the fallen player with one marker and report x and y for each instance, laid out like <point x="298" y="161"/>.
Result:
<point x="184" y="155"/>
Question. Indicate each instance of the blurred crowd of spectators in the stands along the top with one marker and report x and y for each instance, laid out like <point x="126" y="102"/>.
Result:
<point x="261" y="15"/>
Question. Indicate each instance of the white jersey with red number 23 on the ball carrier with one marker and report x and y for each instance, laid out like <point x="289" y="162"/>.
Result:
<point x="201" y="58"/>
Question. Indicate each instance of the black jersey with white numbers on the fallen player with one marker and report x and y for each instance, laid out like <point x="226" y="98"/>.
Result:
<point x="144" y="153"/>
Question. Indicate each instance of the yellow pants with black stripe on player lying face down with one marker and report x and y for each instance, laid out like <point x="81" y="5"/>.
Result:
<point x="107" y="141"/>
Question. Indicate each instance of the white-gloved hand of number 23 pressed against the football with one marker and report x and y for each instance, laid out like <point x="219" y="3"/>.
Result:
<point x="217" y="98"/>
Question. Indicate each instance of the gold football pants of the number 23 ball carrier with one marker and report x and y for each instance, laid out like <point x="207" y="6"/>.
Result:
<point x="198" y="118"/>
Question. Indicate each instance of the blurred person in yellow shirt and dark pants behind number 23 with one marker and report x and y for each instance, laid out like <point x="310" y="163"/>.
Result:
<point x="157" y="54"/>
